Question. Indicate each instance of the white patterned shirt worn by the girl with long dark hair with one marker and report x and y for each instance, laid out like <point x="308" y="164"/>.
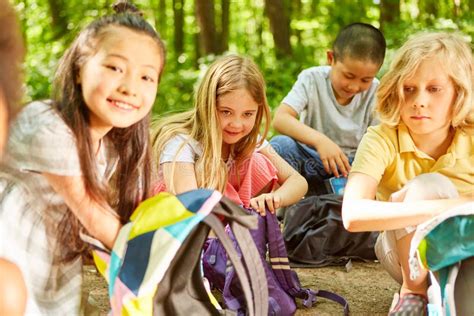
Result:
<point x="30" y="209"/>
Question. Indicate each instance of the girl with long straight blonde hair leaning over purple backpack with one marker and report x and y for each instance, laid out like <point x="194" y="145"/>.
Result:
<point x="218" y="144"/>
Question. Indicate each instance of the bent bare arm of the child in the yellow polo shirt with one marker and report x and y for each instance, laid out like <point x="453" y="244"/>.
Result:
<point x="360" y="212"/>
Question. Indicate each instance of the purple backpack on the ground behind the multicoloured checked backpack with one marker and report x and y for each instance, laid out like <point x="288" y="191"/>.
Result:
<point x="283" y="283"/>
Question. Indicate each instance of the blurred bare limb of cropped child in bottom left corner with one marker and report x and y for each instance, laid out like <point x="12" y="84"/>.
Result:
<point x="12" y="289"/>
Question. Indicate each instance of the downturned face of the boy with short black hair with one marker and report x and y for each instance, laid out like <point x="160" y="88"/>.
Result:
<point x="350" y="76"/>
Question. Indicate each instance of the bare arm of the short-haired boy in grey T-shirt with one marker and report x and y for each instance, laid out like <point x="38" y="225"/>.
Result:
<point x="286" y="122"/>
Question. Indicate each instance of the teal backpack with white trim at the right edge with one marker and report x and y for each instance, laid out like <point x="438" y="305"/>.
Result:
<point x="445" y="246"/>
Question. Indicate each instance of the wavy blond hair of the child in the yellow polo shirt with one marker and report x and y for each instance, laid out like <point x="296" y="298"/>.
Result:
<point x="456" y="55"/>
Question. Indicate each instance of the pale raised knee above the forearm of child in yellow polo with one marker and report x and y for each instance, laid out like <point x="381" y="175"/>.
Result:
<point x="427" y="186"/>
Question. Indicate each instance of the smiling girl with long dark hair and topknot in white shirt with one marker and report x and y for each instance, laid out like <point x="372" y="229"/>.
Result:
<point x="80" y="163"/>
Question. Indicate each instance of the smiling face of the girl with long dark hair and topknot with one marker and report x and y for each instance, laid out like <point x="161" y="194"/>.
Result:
<point x="120" y="80"/>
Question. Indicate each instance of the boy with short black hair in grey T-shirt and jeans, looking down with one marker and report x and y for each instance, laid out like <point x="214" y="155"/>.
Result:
<point x="328" y="110"/>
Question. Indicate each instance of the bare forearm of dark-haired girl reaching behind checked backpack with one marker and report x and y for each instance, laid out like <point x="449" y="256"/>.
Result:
<point x="99" y="220"/>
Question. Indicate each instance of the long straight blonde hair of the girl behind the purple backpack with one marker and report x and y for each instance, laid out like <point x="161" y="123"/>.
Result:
<point x="225" y="75"/>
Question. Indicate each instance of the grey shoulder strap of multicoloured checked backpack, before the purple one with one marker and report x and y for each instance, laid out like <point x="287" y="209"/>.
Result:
<point x="256" y="274"/>
